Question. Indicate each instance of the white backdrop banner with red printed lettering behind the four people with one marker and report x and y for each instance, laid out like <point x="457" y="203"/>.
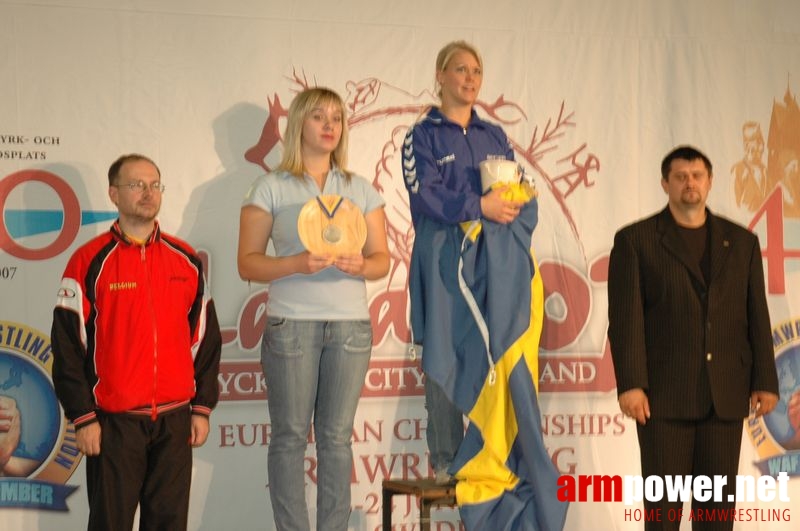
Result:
<point x="592" y="94"/>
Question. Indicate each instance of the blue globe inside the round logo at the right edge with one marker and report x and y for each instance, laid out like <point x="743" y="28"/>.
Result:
<point x="778" y="422"/>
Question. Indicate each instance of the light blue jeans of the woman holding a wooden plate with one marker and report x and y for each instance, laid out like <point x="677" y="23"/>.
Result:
<point x="313" y="369"/>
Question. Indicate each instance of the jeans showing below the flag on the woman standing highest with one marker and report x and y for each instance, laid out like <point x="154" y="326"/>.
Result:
<point x="445" y="429"/>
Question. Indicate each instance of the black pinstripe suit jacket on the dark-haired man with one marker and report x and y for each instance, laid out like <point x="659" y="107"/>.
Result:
<point x="689" y="343"/>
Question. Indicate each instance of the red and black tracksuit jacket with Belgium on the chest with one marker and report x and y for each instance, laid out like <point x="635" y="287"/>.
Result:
<point x="134" y="329"/>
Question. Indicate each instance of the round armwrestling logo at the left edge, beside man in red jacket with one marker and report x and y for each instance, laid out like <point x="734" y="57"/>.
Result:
<point x="43" y="455"/>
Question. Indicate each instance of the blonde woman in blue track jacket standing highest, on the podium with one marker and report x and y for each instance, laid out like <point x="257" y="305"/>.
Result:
<point x="441" y="154"/>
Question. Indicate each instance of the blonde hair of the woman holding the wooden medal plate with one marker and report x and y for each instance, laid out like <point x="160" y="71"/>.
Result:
<point x="302" y="105"/>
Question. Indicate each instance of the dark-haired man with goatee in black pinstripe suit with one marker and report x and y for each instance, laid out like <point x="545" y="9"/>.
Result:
<point x="690" y="334"/>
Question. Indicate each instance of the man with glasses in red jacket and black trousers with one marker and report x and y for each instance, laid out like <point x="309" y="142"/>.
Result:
<point x="137" y="347"/>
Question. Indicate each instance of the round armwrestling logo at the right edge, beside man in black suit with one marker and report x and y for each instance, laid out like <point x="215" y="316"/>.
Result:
<point x="776" y="436"/>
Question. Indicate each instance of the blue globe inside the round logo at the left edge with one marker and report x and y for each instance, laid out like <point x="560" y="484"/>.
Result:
<point x="40" y="415"/>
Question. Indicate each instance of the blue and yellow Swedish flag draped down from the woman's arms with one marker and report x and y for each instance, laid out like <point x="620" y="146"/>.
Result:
<point x="506" y="478"/>
